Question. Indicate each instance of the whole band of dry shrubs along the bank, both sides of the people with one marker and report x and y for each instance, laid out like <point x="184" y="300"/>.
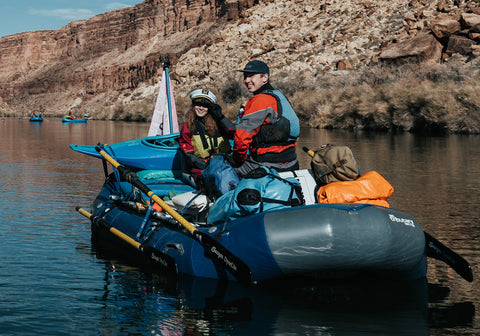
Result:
<point x="427" y="98"/>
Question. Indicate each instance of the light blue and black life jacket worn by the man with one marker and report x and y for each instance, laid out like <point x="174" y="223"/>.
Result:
<point x="283" y="132"/>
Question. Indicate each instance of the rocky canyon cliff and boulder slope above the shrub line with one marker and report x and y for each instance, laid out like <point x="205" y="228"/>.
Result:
<point x="114" y="57"/>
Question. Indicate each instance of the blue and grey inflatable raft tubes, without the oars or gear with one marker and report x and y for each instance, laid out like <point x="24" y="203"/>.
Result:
<point x="323" y="241"/>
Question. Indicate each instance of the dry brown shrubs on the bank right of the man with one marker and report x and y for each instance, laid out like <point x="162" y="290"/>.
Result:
<point x="430" y="98"/>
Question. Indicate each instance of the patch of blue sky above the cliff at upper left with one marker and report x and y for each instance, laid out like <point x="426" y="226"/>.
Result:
<point x="17" y="16"/>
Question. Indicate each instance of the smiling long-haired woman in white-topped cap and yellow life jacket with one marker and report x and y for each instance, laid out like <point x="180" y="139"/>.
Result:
<point x="205" y="133"/>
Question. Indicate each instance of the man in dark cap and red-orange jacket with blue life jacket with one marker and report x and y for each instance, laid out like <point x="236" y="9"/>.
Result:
<point x="267" y="133"/>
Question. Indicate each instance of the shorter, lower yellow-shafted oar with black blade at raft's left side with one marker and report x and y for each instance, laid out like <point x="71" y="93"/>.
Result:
<point x="159" y="259"/>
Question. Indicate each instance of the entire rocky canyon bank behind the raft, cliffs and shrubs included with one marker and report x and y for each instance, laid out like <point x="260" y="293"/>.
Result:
<point x="380" y="65"/>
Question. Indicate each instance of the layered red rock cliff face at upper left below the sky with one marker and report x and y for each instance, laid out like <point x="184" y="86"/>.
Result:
<point x="53" y="71"/>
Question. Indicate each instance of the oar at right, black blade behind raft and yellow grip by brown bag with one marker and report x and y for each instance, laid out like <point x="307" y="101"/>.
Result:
<point x="435" y="249"/>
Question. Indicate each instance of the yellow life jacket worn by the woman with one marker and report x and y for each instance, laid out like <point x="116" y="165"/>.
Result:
<point x="205" y="145"/>
